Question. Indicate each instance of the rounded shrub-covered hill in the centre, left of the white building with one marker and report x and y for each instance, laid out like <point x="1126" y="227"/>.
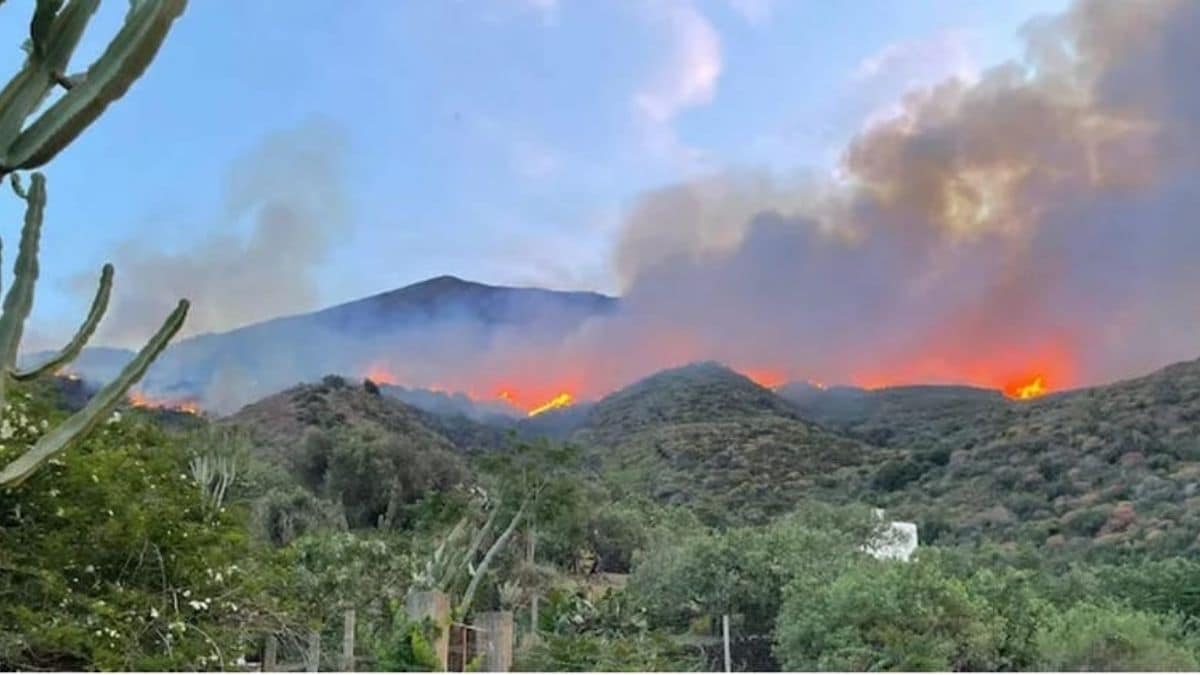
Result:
<point x="706" y="437"/>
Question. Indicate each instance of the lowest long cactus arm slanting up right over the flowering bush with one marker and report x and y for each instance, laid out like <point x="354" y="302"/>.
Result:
<point x="98" y="409"/>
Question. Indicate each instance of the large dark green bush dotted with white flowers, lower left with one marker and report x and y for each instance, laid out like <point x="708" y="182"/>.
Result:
<point x="110" y="558"/>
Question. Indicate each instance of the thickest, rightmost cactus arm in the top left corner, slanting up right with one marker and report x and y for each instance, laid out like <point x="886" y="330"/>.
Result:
<point x="125" y="59"/>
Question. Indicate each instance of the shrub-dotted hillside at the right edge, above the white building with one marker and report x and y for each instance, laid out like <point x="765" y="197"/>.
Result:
<point x="1109" y="470"/>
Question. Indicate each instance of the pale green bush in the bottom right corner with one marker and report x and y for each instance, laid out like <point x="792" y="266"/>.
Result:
<point x="1107" y="637"/>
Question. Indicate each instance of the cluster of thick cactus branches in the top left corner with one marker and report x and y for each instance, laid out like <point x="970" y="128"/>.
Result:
<point x="55" y="34"/>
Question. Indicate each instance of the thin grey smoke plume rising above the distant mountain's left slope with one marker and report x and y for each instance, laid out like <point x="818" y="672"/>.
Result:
<point x="285" y="206"/>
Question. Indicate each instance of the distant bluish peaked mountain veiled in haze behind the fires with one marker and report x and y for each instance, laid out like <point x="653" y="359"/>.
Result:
<point x="446" y="315"/>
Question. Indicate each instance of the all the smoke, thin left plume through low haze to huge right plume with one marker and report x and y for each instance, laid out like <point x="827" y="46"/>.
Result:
<point x="1039" y="222"/>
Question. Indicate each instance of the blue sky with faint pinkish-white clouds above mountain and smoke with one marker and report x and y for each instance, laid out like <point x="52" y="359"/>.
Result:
<point x="499" y="141"/>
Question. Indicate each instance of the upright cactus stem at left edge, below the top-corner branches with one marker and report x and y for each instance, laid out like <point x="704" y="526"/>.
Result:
<point x="20" y="300"/>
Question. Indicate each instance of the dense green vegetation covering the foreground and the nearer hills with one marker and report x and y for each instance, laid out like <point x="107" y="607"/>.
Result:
<point x="161" y="545"/>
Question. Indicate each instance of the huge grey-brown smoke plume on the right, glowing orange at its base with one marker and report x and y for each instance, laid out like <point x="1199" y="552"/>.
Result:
<point x="1037" y="222"/>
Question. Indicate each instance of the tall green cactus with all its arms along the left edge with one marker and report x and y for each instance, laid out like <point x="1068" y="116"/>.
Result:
<point x="55" y="33"/>
